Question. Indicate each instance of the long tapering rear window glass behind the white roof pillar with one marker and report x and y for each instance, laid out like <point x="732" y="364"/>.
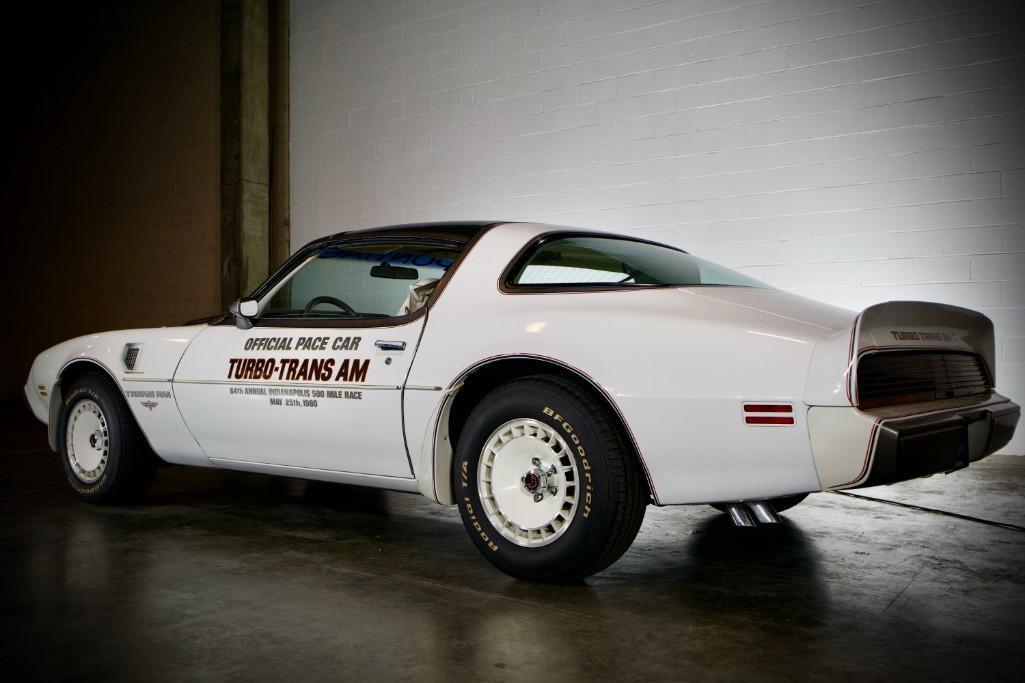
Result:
<point x="609" y="262"/>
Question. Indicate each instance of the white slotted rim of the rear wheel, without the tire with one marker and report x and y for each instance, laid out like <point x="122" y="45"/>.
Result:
<point x="528" y="483"/>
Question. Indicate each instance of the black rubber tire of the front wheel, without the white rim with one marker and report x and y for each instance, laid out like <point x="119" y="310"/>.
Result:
<point x="131" y="465"/>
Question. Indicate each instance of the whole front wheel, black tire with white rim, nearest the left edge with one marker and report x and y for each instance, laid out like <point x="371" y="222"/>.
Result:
<point x="128" y="467"/>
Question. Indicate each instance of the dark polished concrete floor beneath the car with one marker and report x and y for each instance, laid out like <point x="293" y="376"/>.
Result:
<point x="229" y="577"/>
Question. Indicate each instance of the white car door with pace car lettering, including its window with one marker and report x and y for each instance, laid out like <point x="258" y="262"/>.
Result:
<point x="317" y="381"/>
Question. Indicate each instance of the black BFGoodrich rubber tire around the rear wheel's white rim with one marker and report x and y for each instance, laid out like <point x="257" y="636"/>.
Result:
<point x="603" y="527"/>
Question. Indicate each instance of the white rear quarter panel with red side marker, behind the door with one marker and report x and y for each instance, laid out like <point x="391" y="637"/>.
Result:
<point x="677" y="364"/>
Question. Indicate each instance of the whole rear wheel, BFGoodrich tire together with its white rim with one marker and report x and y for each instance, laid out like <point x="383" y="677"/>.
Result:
<point x="547" y="486"/>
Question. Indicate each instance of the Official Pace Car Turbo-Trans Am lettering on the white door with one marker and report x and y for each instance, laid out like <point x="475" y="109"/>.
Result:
<point x="289" y="370"/>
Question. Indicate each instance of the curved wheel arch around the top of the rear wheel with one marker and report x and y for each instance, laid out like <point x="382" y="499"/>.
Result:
<point x="477" y="380"/>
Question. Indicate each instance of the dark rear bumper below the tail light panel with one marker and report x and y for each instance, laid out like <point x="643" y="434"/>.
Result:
<point x="914" y="447"/>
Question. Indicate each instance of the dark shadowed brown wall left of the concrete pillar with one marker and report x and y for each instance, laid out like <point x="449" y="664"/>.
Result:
<point x="114" y="195"/>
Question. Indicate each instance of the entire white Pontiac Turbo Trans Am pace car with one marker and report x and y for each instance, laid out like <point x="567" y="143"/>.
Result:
<point x="551" y="383"/>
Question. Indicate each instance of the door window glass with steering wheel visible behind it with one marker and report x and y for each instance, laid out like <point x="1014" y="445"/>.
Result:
<point x="382" y="280"/>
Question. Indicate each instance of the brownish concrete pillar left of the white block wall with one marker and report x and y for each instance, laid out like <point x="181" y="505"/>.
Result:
<point x="245" y="147"/>
